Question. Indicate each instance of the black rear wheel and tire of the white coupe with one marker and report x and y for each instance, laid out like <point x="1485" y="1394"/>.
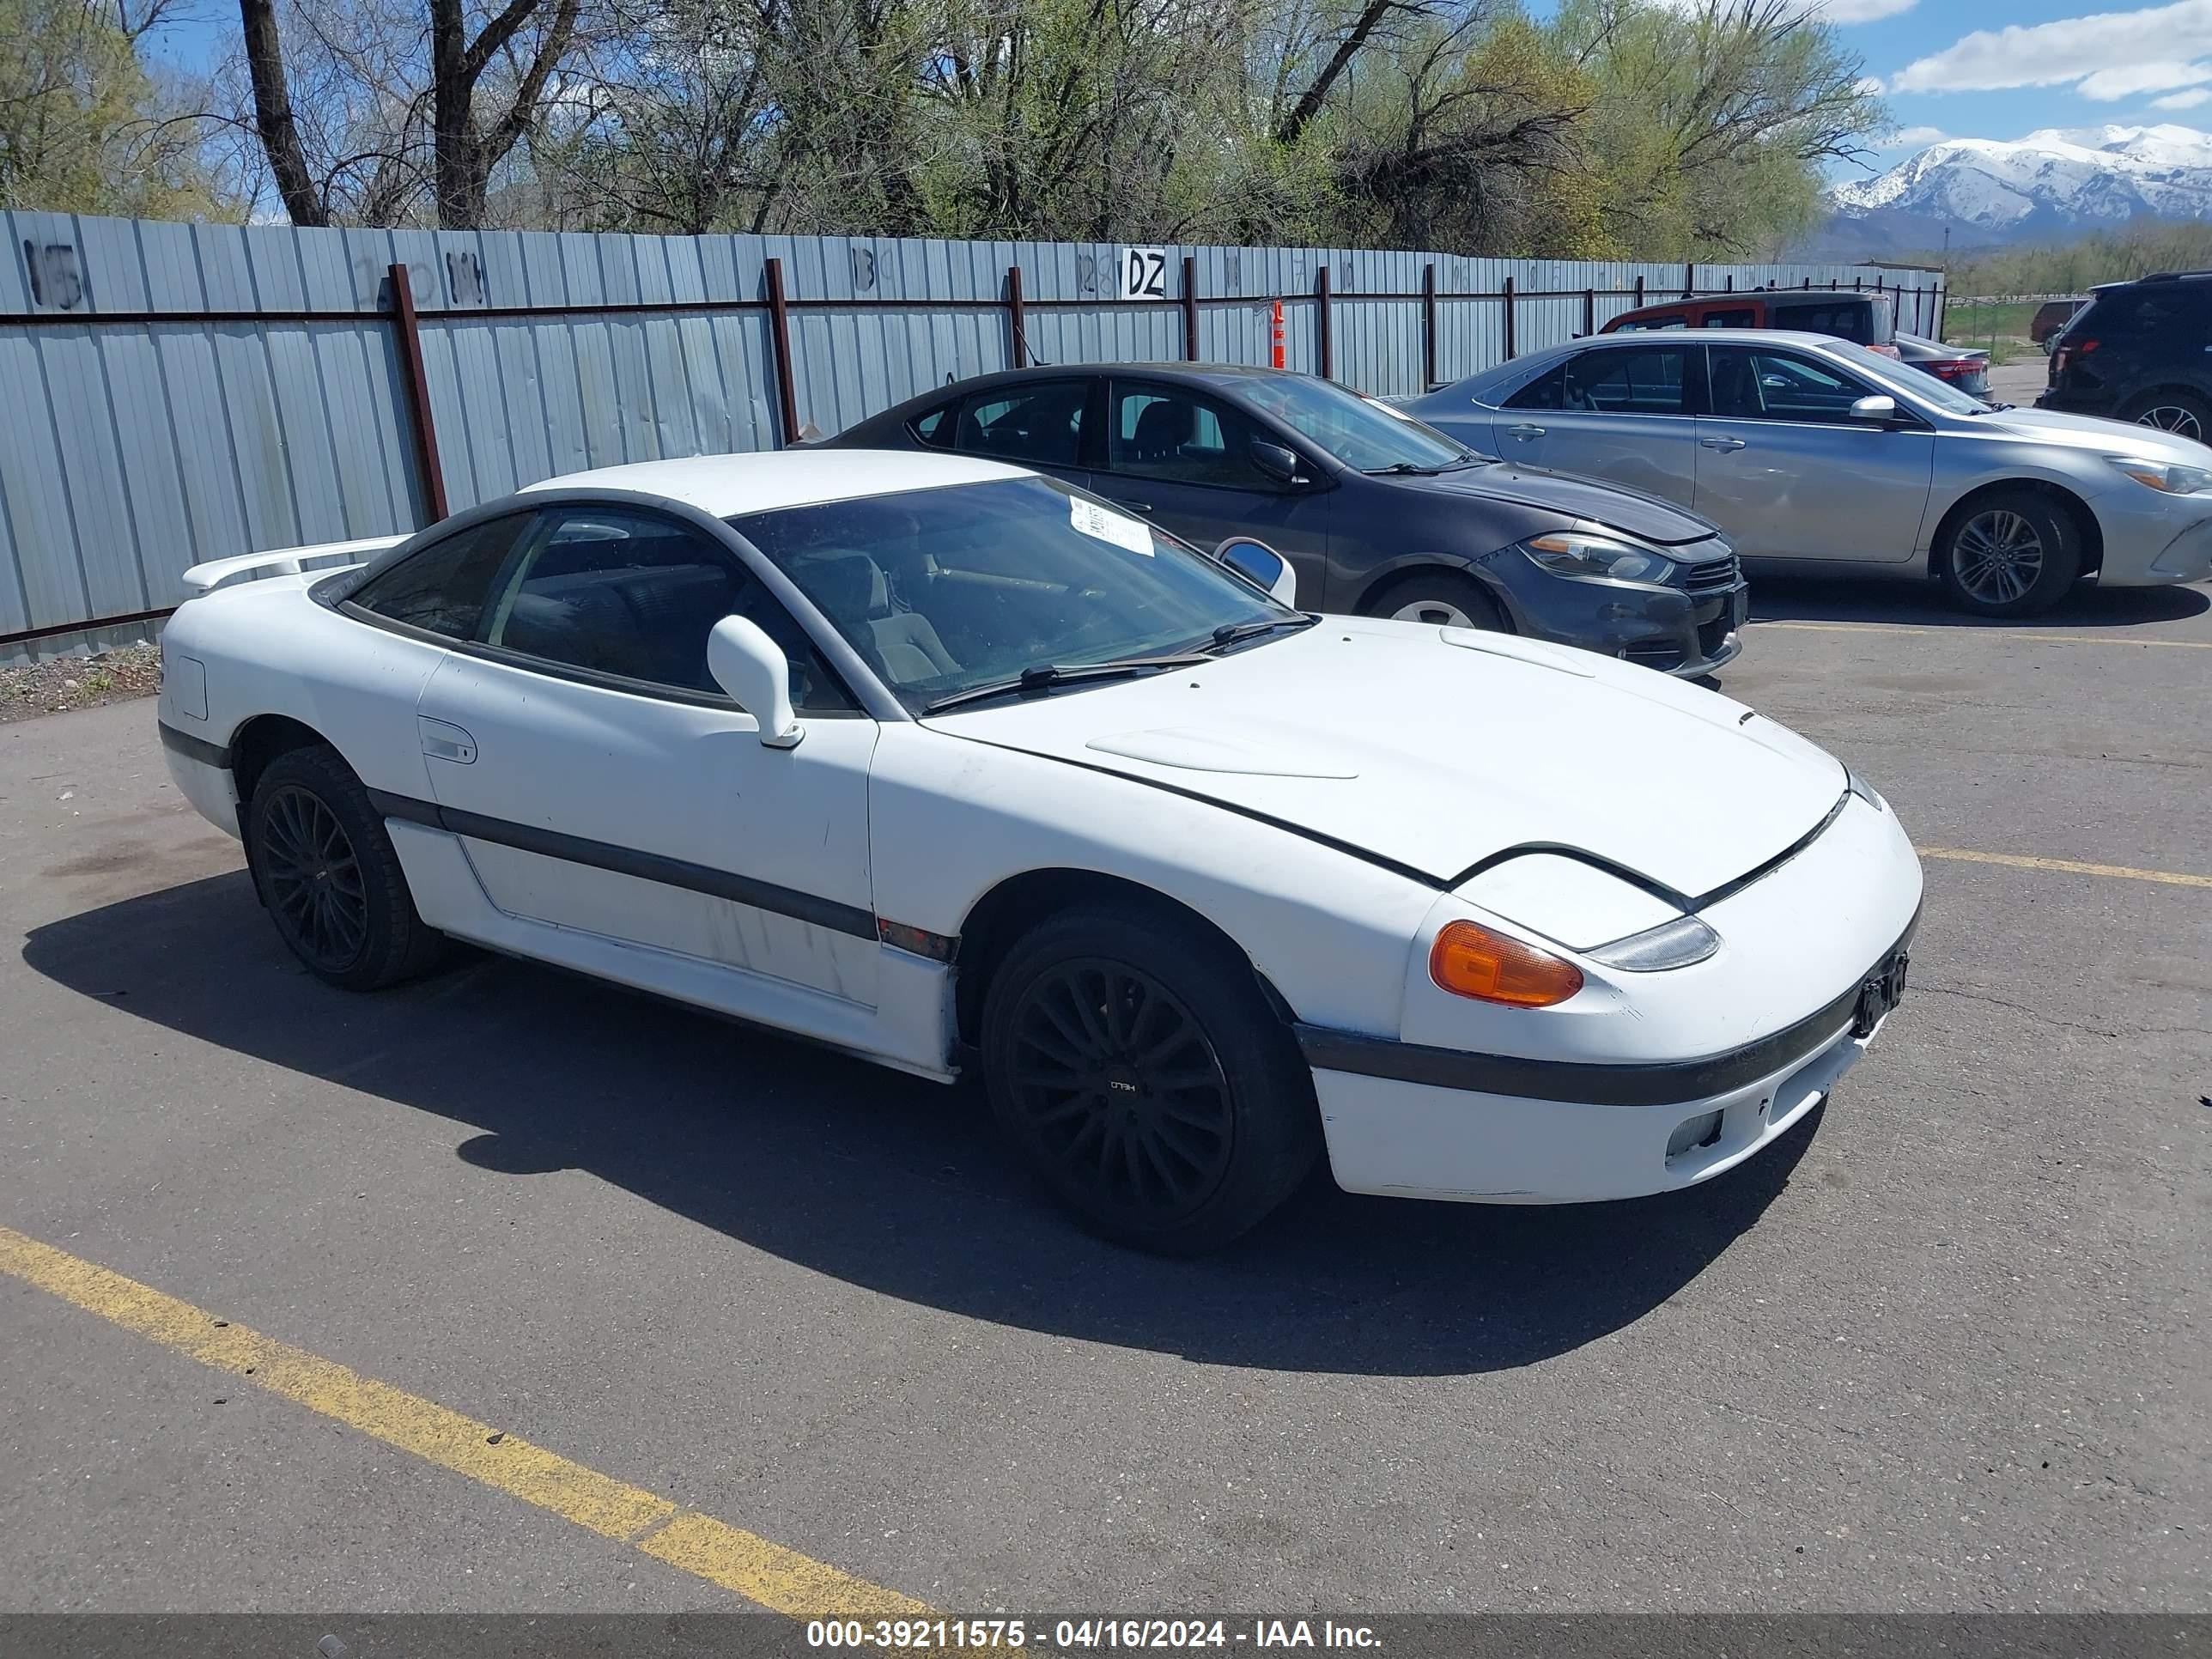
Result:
<point x="328" y="875"/>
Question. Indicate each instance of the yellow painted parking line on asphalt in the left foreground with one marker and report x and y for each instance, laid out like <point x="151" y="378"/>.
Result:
<point x="705" y="1547"/>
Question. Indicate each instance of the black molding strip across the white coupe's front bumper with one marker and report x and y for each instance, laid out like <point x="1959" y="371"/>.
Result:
<point x="1640" y="1085"/>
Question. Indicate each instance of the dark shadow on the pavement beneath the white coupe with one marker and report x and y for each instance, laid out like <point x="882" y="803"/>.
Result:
<point x="890" y="1182"/>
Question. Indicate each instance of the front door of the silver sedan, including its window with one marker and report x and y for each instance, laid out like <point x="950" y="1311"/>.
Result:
<point x="1788" y="474"/>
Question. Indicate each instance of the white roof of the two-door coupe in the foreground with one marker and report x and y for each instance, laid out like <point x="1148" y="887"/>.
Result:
<point x="760" y="483"/>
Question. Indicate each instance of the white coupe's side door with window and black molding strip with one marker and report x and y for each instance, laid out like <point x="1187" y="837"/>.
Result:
<point x="603" y="782"/>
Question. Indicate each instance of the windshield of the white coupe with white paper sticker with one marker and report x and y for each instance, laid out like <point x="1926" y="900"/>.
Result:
<point x="950" y="589"/>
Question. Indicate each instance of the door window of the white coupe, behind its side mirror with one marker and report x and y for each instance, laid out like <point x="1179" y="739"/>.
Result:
<point x="636" y="596"/>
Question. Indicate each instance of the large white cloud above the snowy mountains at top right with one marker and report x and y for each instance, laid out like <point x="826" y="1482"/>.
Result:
<point x="2107" y="48"/>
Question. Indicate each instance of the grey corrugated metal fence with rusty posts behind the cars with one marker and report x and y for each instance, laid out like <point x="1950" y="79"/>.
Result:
<point x="185" y="393"/>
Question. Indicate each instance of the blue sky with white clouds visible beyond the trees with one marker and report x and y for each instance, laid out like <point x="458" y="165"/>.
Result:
<point x="1948" y="67"/>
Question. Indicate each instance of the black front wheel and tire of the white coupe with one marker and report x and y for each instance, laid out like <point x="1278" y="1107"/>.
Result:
<point x="1145" y="1081"/>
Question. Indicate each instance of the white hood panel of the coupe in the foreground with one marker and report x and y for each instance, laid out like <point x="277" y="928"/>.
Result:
<point x="1439" y="749"/>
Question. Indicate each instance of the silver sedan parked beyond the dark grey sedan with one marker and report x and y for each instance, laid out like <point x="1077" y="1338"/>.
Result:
<point x="1824" y="455"/>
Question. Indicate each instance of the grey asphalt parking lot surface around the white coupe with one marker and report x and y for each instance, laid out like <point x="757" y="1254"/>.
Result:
<point x="1945" y="1350"/>
